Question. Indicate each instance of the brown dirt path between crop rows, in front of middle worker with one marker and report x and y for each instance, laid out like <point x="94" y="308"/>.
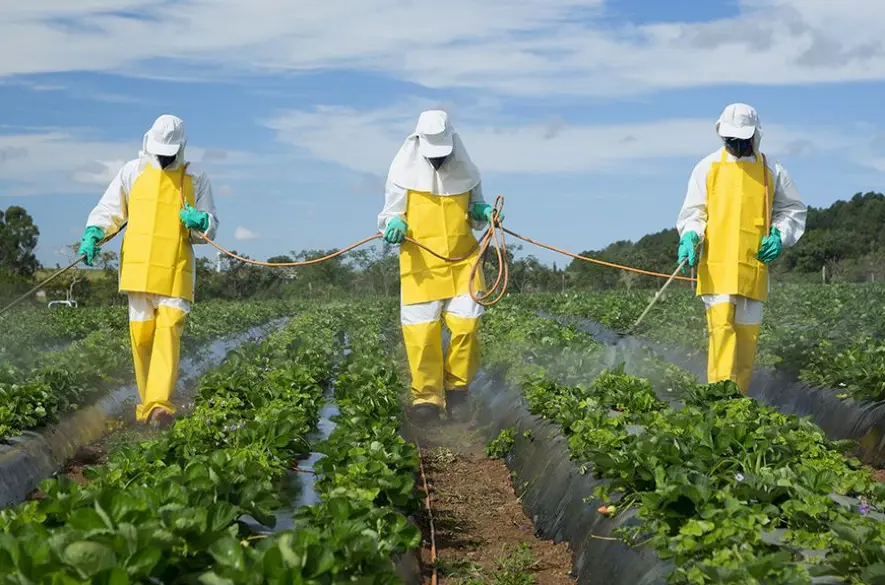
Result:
<point x="483" y="536"/>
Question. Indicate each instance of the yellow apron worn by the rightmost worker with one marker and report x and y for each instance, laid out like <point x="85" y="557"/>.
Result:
<point x="736" y="223"/>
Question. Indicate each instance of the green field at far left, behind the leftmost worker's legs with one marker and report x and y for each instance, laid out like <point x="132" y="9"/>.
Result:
<point x="38" y="386"/>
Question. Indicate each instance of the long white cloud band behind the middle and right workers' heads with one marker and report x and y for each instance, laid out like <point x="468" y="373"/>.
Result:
<point x="366" y="141"/>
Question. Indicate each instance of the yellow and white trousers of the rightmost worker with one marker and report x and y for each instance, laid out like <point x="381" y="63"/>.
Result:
<point x="733" y="325"/>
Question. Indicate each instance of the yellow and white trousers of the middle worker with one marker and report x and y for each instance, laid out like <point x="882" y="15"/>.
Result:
<point x="432" y="372"/>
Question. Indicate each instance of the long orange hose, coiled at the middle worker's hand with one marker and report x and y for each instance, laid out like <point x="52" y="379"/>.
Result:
<point x="494" y="233"/>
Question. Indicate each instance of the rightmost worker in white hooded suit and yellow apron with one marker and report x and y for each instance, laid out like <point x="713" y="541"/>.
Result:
<point x="741" y="211"/>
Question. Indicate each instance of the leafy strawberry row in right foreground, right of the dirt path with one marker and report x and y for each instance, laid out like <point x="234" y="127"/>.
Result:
<point x="729" y="489"/>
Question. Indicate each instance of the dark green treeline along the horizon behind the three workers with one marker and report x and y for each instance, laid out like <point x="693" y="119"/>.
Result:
<point x="844" y="242"/>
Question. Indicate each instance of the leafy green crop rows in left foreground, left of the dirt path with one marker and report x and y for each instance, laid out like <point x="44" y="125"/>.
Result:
<point x="174" y="509"/>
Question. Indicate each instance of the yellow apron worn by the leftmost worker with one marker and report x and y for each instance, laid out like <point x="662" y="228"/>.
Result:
<point x="157" y="256"/>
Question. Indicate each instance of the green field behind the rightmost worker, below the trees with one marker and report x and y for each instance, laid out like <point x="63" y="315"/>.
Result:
<point x="831" y="336"/>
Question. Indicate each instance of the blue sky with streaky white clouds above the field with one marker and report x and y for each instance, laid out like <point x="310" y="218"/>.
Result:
<point x="587" y="115"/>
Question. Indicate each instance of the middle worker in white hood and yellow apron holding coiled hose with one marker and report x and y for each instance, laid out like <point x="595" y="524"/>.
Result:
<point x="434" y="196"/>
